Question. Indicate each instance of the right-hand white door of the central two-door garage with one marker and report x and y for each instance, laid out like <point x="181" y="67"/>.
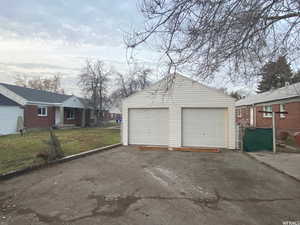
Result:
<point x="203" y="127"/>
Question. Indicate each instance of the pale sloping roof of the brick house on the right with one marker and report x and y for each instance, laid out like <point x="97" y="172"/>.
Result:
<point x="289" y="91"/>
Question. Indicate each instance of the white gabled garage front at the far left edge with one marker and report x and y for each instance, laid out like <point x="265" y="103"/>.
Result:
<point x="9" y="113"/>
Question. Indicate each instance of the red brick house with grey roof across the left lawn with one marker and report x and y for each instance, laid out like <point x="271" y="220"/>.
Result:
<point x="43" y="109"/>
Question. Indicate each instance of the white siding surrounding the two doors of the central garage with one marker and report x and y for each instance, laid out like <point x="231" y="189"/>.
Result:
<point x="185" y="93"/>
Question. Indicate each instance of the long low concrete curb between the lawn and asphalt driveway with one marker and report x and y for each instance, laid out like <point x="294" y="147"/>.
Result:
<point x="15" y="173"/>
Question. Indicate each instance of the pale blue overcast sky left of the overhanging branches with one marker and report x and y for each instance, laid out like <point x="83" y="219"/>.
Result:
<point x="46" y="37"/>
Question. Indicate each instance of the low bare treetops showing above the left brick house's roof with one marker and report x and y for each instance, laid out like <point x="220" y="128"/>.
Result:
<point x="46" y="84"/>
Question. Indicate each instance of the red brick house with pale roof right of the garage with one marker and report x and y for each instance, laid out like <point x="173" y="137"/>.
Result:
<point x="285" y="99"/>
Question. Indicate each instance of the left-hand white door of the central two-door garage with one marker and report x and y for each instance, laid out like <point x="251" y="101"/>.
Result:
<point x="148" y="126"/>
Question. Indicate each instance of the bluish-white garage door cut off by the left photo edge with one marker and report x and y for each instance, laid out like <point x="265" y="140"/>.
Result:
<point x="8" y="119"/>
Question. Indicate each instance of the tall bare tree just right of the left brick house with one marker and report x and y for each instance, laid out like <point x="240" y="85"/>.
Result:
<point x="94" y="80"/>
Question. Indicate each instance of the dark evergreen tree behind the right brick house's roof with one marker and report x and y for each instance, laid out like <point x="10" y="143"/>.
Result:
<point x="275" y="75"/>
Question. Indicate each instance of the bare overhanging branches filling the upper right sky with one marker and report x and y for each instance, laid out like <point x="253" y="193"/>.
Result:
<point x="208" y="34"/>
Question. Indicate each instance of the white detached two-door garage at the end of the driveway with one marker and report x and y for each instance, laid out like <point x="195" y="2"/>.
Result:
<point x="189" y="114"/>
